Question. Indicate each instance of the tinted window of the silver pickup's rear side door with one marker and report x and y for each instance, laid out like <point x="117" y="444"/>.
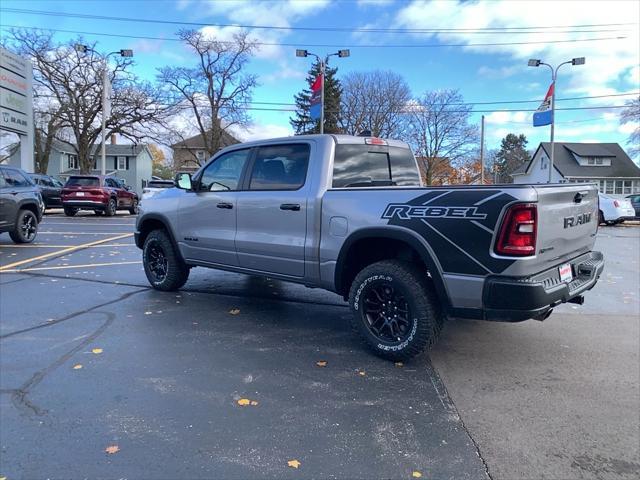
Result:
<point x="280" y="167"/>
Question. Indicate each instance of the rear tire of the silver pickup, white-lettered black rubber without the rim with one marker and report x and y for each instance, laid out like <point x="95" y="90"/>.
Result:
<point x="418" y="291"/>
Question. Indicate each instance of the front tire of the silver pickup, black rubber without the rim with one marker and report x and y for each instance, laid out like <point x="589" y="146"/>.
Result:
<point x="177" y="272"/>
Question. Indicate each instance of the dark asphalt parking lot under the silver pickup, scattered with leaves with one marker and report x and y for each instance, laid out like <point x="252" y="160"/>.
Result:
<point x="92" y="359"/>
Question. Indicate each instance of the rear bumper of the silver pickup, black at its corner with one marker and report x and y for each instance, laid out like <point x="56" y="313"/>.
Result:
<point x="516" y="299"/>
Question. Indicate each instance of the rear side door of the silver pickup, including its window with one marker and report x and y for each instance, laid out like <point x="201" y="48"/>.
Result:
<point x="272" y="210"/>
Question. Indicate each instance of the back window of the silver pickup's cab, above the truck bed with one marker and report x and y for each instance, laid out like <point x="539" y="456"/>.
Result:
<point x="372" y="165"/>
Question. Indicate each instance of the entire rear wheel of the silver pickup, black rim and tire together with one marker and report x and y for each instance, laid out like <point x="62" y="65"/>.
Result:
<point x="395" y="309"/>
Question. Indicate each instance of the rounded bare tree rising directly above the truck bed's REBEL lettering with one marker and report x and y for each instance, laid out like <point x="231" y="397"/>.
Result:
<point x="439" y="132"/>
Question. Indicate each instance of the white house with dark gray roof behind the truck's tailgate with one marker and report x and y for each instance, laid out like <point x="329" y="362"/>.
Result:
<point x="606" y="164"/>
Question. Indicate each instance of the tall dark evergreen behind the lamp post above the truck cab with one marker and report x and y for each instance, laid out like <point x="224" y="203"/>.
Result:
<point x="302" y="123"/>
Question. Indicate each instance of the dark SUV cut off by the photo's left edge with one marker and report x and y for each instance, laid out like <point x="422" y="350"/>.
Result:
<point x="21" y="205"/>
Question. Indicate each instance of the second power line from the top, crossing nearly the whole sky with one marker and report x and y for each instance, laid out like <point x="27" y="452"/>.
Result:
<point x="325" y="45"/>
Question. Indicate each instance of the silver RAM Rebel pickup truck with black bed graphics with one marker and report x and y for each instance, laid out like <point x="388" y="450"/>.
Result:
<point x="350" y="215"/>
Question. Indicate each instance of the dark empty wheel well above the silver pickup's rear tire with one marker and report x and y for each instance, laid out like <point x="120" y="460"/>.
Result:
<point x="369" y="250"/>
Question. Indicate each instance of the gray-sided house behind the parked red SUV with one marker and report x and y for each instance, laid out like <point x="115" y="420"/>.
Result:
<point x="133" y="163"/>
